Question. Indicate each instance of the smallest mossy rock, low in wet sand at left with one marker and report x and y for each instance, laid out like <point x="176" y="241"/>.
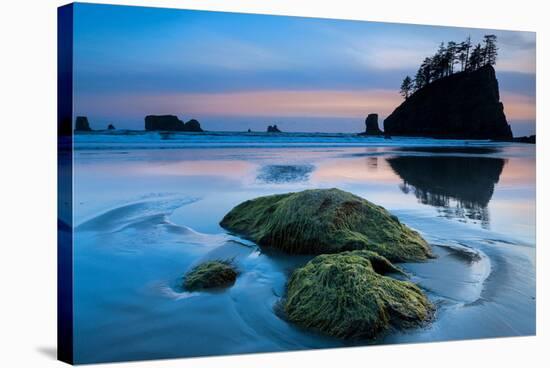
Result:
<point x="210" y="275"/>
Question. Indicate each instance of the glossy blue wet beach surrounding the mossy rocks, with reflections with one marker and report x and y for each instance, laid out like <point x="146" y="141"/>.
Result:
<point x="146" y="216"/>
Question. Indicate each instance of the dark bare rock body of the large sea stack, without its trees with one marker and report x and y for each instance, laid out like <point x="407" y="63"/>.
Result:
<point x="464" y="105"/>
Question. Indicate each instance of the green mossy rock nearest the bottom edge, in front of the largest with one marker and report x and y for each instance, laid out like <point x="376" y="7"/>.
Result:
<point x="346" y="295"/>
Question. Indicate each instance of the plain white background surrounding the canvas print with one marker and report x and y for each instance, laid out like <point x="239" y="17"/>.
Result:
<point x="28" y="183"/>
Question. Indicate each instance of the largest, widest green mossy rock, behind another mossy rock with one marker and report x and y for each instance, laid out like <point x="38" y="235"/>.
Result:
<point x="325" y="221"/>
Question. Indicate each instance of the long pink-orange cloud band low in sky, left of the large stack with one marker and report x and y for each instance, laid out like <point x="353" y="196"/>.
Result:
<point x="312" y="103"/>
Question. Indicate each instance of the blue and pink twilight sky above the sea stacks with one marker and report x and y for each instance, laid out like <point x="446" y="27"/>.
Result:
<point x="235" y="71"/>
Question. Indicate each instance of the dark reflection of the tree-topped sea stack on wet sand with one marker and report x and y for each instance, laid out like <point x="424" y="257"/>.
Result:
<point x="458" y="186"/>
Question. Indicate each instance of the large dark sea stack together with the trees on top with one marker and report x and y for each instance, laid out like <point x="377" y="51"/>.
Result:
<point x="442" y="103"/>
